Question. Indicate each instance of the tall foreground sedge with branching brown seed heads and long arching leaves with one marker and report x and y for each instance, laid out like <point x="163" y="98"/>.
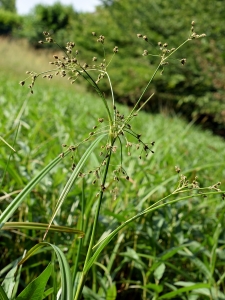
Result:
<point x="113" y="137"/>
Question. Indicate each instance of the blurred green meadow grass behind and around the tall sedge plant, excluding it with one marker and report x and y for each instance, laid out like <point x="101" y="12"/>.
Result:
<point x="176" y="251"/>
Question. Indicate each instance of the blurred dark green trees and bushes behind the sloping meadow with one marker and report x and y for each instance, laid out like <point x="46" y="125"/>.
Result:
<point x="195" y="90"/>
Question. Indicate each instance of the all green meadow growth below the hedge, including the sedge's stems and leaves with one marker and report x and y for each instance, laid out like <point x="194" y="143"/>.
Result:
<point x="173" y="249"/>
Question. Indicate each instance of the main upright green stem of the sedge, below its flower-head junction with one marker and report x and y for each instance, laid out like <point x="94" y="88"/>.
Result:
<point x="89" y="252"/>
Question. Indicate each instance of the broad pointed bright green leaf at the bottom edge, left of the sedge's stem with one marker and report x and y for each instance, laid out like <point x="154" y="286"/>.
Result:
<point x="36" y="288"/>
